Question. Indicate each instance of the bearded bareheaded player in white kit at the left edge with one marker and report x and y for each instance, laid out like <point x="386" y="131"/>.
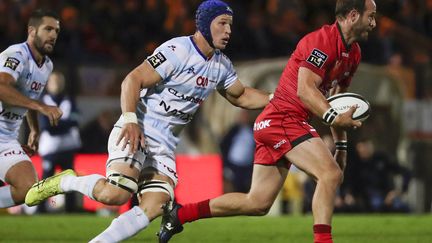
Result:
<point x="24" y="71"/>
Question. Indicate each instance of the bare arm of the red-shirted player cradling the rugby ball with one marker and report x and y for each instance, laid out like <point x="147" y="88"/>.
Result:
<point x="314" y="100"/>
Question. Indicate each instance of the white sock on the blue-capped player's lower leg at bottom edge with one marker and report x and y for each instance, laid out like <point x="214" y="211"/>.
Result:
<point x="124" y="226"/>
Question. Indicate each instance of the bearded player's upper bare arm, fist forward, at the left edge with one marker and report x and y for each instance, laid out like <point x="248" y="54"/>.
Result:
<point x="12" y="96"/>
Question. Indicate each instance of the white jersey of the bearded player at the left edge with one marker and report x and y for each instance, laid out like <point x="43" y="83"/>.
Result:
<point x="18" y="61"/>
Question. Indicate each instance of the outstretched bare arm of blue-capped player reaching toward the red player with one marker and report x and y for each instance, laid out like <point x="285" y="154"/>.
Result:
<point x="245" y="97"/>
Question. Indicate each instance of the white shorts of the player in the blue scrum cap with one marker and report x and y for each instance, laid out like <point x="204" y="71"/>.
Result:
<point x="154" y="155"/>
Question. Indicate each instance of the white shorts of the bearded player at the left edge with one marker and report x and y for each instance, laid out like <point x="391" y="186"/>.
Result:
<point x="11" y="154"/>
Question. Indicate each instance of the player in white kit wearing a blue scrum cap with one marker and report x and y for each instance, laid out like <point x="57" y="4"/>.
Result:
<point x="158" y="99"/>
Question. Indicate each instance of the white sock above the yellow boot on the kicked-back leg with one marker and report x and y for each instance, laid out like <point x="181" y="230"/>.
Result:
<point x="83" y="184"/>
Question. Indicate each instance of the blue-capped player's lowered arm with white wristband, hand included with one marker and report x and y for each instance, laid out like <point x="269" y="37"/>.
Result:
<point x="143" y="76"/>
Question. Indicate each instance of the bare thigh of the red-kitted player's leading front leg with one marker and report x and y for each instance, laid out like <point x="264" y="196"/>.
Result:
<point x="313" y="157"/>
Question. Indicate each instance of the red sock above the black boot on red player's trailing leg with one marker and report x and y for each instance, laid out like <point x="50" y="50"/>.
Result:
<point x="193" y="211"/>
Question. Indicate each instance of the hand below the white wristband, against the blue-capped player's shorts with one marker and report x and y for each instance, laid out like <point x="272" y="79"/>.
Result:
<point x="131" y="134"/>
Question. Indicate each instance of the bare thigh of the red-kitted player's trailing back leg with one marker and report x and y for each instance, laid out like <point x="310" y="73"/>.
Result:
<point x="267" y="180"/>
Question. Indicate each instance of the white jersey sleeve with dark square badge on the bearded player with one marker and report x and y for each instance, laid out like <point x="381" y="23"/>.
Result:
<point x="12" y="63"/>
